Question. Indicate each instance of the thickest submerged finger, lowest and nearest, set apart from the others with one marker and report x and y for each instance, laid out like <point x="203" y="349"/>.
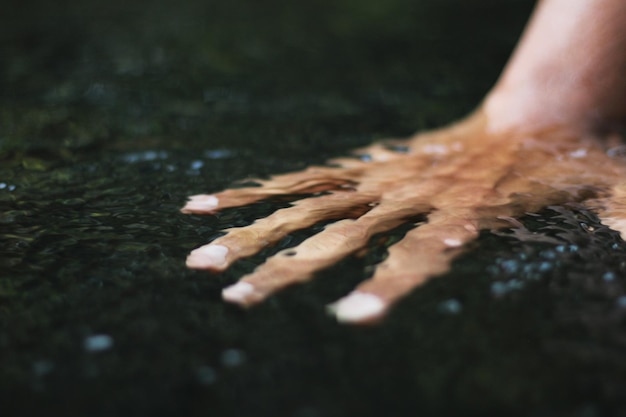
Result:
<point x="424" y="252"/>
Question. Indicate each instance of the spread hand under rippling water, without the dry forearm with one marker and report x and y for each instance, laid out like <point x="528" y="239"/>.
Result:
<point x="460" y="179"/>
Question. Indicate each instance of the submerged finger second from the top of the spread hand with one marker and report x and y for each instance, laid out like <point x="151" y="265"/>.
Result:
<point x="246" y="241"/>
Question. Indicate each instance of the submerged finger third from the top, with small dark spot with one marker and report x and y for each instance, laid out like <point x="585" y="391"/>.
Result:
<point x="298" y="264"/>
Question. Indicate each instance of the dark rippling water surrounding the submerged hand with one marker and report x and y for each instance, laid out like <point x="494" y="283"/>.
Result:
<point x="110" y="115"/>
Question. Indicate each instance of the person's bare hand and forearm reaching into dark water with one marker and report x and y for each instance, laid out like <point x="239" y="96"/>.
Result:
<point x="544" y="135"/>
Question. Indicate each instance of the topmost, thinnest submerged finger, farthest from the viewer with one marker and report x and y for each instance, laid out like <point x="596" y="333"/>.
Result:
<point x="312" y="180"/>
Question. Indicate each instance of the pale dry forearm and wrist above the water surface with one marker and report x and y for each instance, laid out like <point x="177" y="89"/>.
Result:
<point x="568" y="69"/>
